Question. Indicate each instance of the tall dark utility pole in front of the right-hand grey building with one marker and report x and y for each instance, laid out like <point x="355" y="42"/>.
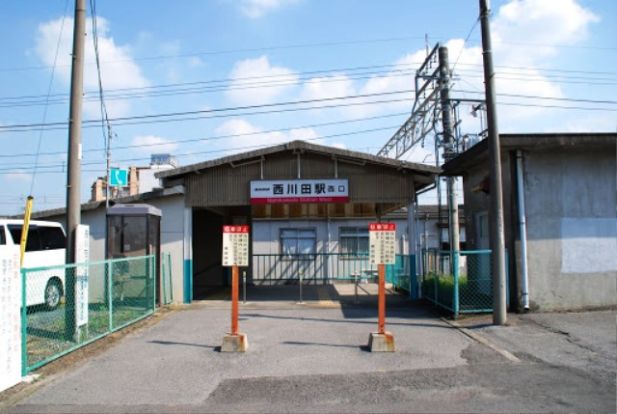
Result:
<point x="496" y="203"/>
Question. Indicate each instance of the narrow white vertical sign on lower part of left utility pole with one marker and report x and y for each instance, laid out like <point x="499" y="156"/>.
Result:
<point x="82" y="257"/>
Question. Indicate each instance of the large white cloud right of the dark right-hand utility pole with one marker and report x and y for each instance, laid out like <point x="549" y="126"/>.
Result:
<point x="526" y="33"/>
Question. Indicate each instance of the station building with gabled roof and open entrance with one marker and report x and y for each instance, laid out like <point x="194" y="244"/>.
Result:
<point x="308" y="207"/>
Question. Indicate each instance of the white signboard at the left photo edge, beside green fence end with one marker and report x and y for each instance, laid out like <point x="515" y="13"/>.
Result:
<point x="10" y="317"/>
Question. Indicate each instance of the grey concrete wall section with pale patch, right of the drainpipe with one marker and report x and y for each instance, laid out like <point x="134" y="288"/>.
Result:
<point x="572" y="228"/>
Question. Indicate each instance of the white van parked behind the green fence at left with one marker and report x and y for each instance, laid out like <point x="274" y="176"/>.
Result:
<point x="46" y="246"/>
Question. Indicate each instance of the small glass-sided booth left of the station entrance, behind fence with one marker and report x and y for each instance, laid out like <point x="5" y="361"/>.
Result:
<point x="134" y="230"/>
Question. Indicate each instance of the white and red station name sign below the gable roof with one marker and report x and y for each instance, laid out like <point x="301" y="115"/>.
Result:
<point x="300" y="191"/>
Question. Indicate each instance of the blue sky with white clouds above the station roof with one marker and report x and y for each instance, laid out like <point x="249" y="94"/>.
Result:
<point x="193" y="57"/>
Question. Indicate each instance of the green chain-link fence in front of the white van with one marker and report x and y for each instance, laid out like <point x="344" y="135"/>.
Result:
<point x="108" y="296"/>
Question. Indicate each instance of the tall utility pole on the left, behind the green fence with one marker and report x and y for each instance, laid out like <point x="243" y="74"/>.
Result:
<point x="73" y="207"/>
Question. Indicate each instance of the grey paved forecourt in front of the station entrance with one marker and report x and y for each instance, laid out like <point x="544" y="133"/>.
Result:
<point x="312" y="357"/>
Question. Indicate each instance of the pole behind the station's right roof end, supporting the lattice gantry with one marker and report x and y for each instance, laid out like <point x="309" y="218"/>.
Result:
<point x="449" y="152"/>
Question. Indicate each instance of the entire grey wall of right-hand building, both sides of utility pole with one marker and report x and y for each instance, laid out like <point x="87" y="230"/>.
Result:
<point x="570" y="205"/>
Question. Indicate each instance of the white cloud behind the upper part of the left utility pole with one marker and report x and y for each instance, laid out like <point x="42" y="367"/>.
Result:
<point x="119" y="70"/>
